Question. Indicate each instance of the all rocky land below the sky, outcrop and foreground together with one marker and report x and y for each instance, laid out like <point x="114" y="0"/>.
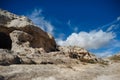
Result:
<point x="29" y="53"/>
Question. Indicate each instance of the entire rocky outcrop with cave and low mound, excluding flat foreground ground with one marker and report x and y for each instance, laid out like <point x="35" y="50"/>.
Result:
<point x="22" y="42"/>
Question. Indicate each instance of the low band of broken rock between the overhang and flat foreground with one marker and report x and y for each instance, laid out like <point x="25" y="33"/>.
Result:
<point x="38" y="56"/>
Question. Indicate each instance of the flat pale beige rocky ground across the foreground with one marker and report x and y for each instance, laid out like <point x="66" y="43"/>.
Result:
<point x="83" y="71"/>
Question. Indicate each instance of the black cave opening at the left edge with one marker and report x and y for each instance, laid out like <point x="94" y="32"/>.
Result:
<point x="5" y="41"/>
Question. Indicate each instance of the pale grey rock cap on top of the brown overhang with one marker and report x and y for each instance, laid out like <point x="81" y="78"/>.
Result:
<point x="11" y="19"/>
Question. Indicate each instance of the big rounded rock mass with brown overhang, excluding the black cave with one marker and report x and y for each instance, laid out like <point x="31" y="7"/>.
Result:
<point x="24" y="33"/>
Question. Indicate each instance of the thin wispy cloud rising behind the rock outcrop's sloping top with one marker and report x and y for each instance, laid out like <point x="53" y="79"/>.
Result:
<point x="37" y="17"/>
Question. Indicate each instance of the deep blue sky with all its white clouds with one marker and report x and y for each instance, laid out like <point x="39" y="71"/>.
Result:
<point x="91" y="24"/>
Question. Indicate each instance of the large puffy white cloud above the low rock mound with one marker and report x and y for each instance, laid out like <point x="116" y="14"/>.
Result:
<point x="91" y="40"/>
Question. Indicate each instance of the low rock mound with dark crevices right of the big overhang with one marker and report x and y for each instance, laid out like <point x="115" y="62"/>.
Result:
<point x="78" y="53"/>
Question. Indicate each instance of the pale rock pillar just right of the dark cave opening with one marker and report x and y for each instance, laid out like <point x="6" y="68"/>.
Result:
<point x="20" y="41"/>
